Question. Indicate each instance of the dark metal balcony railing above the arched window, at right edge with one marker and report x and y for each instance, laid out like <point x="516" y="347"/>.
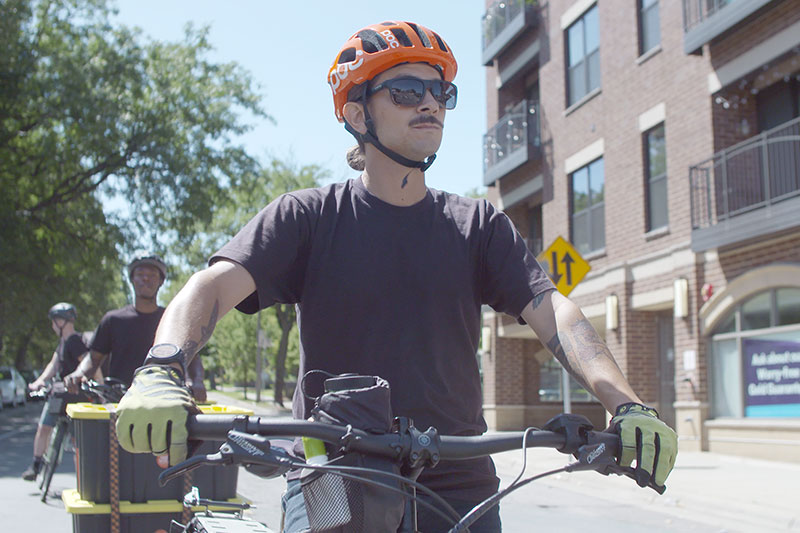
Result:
<point x="760" y="171"/>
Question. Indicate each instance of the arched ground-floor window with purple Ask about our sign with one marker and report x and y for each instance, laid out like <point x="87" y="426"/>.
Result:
<point x="755" y="358"/>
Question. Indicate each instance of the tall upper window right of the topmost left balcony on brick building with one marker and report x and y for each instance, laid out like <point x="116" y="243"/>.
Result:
<point x="583" y="56"/>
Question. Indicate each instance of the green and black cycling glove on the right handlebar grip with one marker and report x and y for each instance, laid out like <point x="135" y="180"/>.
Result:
<point x="648" y="440"/>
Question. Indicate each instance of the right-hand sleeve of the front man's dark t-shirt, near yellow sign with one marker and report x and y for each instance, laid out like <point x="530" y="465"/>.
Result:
<point x="511" y="275"/>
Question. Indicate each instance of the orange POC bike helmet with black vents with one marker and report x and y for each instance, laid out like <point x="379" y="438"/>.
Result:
<point x="379" y="47"/>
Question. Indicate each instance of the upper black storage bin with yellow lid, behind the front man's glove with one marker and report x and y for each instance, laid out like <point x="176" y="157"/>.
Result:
<point x="138" y="473"/>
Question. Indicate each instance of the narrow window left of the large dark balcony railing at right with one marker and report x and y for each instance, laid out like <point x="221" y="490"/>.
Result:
<point x="655" y="152"/>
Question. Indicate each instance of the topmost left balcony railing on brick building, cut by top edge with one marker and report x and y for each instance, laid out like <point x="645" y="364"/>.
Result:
<point x="503" y="22"/>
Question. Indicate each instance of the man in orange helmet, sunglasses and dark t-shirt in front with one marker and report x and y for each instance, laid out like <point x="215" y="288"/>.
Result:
<point x="389" y="277"/>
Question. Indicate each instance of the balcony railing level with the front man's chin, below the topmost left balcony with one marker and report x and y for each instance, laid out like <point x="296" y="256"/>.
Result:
<point x="506" y="145"/>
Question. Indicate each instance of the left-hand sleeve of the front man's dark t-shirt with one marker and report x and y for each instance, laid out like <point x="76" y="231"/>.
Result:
<point x="273" y="248"/>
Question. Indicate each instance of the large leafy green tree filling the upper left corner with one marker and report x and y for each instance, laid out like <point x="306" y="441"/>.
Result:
<point x="91" y="112"/>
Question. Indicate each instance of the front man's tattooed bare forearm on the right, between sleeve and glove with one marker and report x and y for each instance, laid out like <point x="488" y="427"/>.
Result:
<point x="562" y="327"/>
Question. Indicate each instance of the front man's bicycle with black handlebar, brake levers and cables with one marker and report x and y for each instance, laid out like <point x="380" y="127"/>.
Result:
<point x="336" y="495"/>
